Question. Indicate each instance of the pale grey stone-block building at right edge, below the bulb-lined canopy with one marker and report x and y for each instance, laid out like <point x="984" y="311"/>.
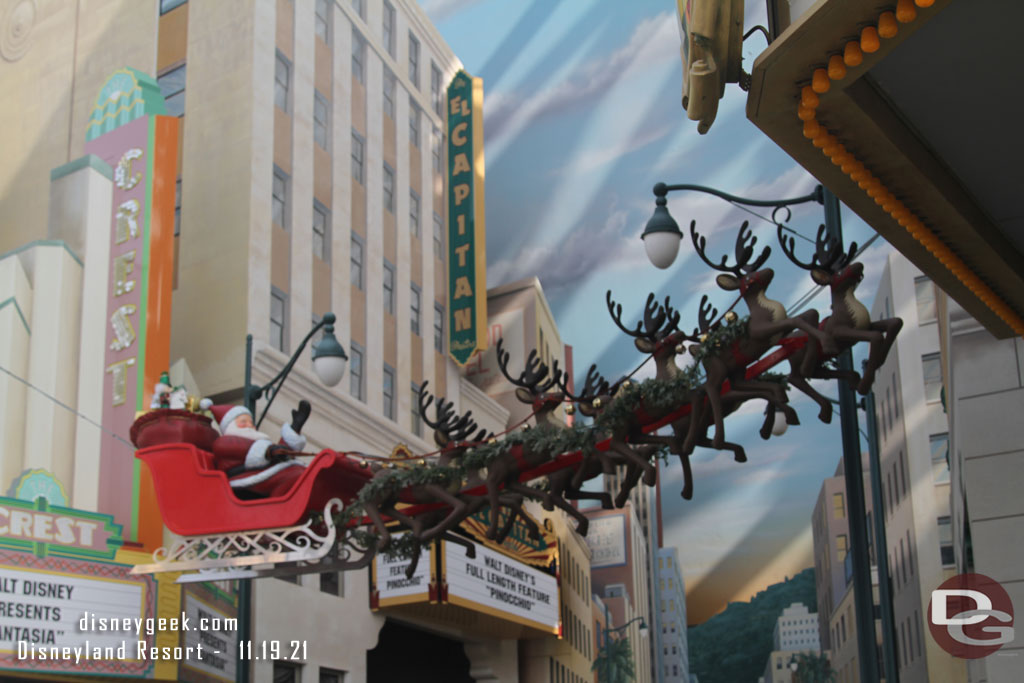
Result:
<point x="985" y="389"/>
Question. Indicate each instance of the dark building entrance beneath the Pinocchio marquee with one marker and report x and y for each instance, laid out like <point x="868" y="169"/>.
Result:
<point x="405" y="655"/>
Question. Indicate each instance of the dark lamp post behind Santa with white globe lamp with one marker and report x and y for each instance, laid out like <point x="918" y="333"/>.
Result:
<point x="329" y="364"/>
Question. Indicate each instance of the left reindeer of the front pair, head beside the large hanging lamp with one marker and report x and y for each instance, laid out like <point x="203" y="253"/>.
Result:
<point x="769" y="324"/>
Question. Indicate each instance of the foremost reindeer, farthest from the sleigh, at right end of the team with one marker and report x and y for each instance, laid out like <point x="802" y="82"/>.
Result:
<point x="850" y="323"/>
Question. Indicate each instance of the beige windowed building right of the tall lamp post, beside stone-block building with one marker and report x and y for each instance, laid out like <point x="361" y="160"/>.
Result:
<point x="914" y="440"/>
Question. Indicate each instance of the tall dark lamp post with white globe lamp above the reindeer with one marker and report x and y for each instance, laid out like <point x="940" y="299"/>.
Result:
<point x="662" y="238"/>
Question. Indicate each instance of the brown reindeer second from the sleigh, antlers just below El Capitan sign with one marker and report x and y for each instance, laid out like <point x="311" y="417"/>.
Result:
<point x="503" y="474"/>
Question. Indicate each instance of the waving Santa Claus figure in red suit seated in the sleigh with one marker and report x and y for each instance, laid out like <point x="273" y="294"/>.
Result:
<point x="253" y="463"/>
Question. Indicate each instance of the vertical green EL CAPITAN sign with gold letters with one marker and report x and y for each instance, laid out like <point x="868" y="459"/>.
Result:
<point x="467" y="249"/>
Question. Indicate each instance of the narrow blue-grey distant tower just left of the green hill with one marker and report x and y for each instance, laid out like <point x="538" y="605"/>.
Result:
<point x="672" y="656"/>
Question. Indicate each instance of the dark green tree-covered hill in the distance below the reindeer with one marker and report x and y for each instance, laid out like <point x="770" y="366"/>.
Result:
<point x="734" y="647"/>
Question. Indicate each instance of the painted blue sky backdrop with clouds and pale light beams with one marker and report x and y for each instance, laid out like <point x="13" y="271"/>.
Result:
<point x="582" y="118"/>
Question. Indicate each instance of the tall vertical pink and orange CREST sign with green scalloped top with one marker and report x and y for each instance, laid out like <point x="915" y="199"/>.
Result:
<point x="127" y="131"/>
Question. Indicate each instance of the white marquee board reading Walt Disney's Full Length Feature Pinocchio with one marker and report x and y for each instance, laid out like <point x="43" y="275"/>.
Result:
<point x="498" y="585"/>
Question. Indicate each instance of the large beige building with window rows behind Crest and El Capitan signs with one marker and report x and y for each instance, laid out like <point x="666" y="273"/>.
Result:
<point x="312" y="179"/>
